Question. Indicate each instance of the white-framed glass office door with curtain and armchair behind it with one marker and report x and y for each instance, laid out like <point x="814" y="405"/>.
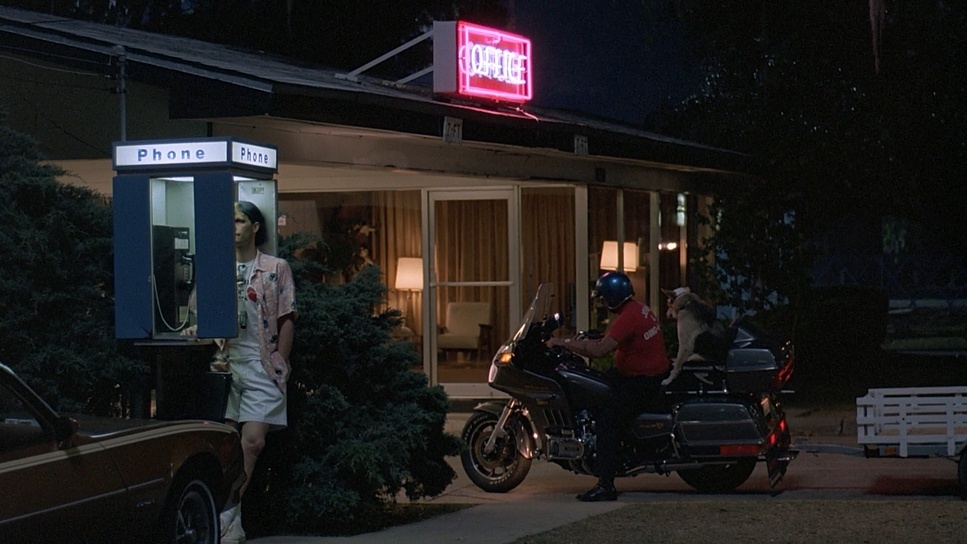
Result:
<point x="472" y="299"/>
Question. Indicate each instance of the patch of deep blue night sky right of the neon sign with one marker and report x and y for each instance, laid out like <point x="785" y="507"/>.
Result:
<point x="606" y="58"/>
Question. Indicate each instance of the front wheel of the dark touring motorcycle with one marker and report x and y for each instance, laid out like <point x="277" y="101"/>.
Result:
<point x="500" y="470"/>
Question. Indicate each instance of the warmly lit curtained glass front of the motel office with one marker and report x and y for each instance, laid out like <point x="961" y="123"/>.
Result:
<point x="494" y="247"/>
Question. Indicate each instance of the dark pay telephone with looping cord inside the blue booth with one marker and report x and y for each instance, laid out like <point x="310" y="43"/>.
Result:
<point x="173" y="276"/>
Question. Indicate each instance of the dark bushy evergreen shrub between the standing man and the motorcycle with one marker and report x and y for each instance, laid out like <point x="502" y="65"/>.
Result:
<point x="363" y="426"/>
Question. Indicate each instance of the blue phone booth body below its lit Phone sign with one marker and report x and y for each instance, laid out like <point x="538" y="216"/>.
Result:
<point x="174" y="256"/>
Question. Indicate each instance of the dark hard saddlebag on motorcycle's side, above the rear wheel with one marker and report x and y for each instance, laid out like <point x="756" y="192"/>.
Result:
<point x="704" y="425"/>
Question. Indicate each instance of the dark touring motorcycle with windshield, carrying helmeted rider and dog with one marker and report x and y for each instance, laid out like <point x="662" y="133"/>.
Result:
<point x="716" y="420"/>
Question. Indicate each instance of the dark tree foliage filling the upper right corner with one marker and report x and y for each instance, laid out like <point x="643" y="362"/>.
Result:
<point x="840" y="146"/>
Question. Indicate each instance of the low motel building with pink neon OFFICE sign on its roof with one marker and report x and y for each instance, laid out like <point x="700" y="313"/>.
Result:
<point x="464" y="195"/>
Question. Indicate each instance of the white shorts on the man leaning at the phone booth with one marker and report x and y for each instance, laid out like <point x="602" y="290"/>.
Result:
<point x="254" y="396"/>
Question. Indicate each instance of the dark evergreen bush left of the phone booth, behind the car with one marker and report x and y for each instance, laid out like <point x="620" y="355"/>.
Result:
<point x="57" y="320"/>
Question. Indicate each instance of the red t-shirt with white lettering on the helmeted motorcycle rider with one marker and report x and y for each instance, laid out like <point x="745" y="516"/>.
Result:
<point x="641" y="346"/>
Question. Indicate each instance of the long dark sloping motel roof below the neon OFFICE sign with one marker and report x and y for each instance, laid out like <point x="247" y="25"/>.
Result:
<point x="246" y="84"/>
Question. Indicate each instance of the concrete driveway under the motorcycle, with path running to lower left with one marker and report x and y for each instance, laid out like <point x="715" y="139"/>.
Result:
<point x="830" y="466"/>
